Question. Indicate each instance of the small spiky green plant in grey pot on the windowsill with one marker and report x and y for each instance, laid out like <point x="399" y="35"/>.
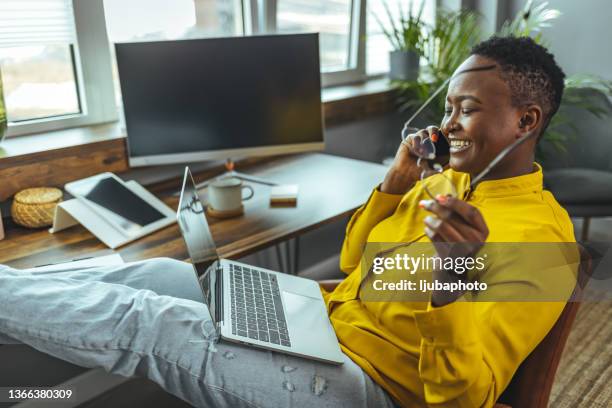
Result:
<point x="407" y="37"/>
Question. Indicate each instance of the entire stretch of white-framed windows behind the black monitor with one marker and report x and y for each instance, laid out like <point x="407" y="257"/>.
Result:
<point x="56" y="56"/>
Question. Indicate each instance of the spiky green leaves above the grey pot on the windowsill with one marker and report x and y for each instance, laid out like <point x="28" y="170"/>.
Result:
<point x="407" y="34"/>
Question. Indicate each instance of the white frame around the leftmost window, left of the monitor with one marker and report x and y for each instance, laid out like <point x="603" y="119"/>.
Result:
<point x="93" y="76"/>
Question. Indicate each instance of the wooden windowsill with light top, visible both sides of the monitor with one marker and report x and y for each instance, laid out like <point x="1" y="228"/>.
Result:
<point x="55" y="158"/>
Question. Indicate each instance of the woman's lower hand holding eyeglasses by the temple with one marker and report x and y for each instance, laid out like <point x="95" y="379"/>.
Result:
<point x="457" y="230"/>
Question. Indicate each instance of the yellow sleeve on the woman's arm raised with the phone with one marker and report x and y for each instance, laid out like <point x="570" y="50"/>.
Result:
<point x="378" y="207"/>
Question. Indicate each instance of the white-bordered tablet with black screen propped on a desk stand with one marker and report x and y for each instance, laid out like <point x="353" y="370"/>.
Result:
<point x="117" y="204"/>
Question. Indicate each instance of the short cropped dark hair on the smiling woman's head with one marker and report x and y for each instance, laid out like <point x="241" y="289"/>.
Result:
<point x="530" y="71"/>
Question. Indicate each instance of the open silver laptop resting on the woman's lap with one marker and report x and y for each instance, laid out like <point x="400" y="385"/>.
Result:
<point x="251" y="305"/>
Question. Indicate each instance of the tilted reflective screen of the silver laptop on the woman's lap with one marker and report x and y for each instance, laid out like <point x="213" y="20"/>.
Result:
<point x="200" y="244"/>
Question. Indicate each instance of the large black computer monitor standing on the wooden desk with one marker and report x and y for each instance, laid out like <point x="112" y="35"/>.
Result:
<point x="220" y="98"/>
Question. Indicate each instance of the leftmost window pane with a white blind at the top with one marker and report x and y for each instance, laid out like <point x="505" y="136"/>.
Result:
<point x="36" y="59"/>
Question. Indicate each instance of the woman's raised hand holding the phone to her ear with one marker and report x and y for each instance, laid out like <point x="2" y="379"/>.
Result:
<point x="404" y="172"/>
